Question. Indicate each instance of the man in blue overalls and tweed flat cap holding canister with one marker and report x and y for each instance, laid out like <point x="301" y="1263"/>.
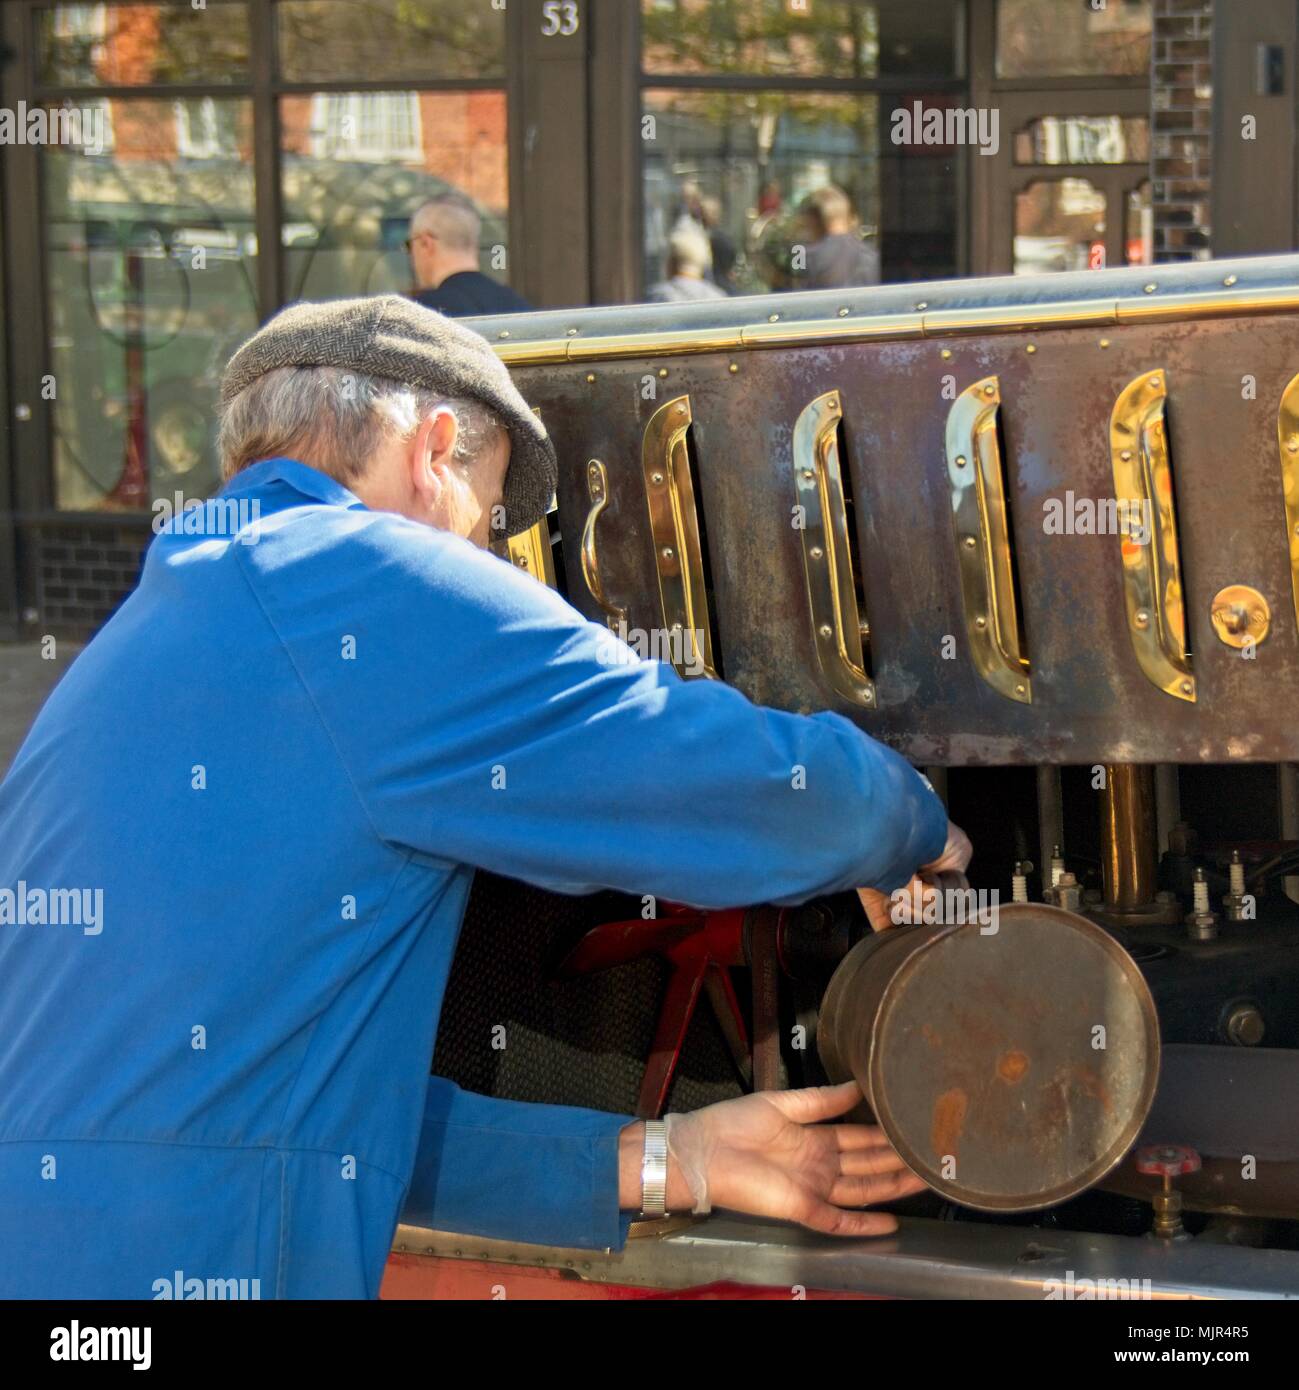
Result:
<point x="237" y="846"/>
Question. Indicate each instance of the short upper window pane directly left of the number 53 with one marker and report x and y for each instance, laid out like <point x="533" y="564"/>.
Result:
<point x="331" y="41"/>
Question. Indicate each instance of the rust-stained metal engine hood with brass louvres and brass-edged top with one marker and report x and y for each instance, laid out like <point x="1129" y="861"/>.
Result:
<point x="975" y="426"/>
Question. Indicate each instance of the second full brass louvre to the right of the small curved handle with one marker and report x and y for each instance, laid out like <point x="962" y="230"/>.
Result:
<point x="827" y="555"/>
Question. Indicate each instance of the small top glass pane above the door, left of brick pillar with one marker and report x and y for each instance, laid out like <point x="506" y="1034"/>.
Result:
<point x="1073" y="38"/>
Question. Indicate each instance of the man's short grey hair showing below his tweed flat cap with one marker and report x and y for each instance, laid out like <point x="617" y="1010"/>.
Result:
<point x="338" y="420"/>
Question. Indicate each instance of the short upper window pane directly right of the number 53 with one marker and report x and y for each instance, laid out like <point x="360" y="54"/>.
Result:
<point x="826" y="40"/>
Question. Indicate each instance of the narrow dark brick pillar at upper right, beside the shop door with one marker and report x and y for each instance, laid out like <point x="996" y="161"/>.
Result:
<point x="1182" y="97"/>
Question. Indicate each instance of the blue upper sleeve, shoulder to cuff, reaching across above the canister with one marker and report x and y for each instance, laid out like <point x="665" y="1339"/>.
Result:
<point x="486" y="722"/>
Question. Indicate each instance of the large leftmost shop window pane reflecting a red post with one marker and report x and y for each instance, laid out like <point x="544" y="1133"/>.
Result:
<point x="151" y="287"/>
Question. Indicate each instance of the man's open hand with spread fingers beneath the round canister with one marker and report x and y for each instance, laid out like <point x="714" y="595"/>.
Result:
<point x="766" y="1156"/>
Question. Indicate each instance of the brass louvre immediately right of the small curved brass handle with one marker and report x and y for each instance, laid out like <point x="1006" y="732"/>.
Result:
<point x="675" y="529"/>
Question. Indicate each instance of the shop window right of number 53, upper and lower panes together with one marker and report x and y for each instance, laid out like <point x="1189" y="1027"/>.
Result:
<point x="804" y="183"/>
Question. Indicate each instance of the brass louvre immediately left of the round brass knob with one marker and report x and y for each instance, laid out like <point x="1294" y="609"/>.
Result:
<point x="1152" y="578"/>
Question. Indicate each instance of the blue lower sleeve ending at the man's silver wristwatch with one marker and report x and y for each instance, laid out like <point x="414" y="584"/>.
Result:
<point x="545" y="1175"/>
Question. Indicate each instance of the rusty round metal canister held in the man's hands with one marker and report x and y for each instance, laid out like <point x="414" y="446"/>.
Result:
<point x="1011" y="1068"/>
